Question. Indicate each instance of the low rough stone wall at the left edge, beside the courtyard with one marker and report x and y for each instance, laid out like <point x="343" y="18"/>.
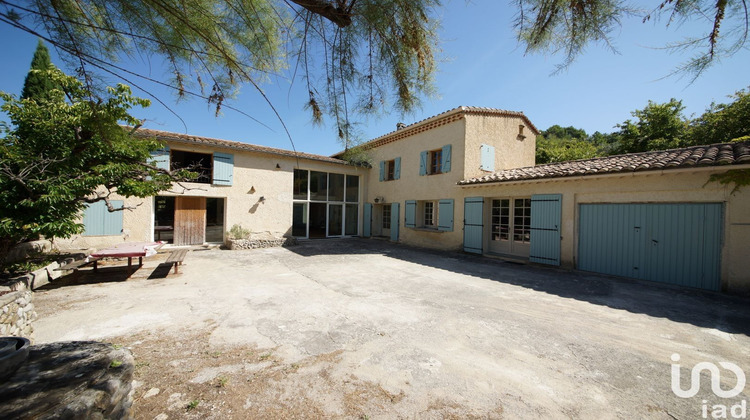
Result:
<point x="16" y="311"/>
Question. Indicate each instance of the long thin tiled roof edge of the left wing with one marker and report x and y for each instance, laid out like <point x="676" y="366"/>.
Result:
<point x="207" y="141"/>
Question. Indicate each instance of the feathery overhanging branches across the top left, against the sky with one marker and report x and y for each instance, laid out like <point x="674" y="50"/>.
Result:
<point x="354" y="55"/>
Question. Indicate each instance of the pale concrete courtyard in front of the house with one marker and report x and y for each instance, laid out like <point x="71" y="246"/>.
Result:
<point x="441" y="334"/>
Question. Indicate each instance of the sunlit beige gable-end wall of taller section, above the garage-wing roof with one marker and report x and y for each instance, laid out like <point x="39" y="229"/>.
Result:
<point x="511" y="150"/>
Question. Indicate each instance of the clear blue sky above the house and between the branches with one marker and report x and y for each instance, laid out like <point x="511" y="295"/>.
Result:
<point x="482" y="65"/>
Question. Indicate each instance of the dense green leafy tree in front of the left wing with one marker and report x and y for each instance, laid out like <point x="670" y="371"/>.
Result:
<point x="65" y="151"/>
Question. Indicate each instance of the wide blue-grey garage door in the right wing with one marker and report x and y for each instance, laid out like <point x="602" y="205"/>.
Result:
<point x="670" y="243"/>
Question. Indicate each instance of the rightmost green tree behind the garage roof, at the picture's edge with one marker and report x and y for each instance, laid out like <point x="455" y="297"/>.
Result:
<point x="723" y="122"/>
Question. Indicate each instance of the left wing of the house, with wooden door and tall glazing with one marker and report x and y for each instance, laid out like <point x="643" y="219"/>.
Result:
<point x="262" y="189"/>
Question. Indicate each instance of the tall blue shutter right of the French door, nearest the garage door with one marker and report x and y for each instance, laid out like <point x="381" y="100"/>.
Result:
<point x="545" y="228"/>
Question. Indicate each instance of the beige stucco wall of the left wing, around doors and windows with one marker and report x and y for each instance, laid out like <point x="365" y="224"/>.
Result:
<point x="252" y="171"/>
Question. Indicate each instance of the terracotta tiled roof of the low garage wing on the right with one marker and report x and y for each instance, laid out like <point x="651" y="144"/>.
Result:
<point x="708" y="155"/>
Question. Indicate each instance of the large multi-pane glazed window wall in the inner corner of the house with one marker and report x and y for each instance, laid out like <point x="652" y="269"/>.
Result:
<point x="325" y="204"/>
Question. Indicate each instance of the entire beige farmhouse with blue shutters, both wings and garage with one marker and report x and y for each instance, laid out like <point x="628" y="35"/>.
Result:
<point x="463" y="180"/>
